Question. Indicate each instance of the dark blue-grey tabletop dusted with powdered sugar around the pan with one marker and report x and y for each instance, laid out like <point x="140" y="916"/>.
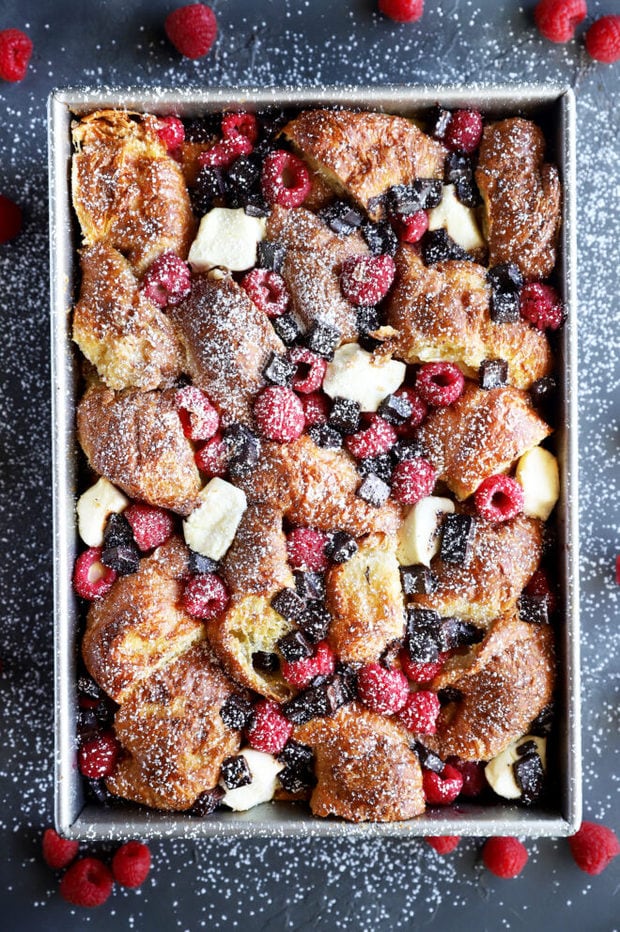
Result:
<point x="330" y="884"/>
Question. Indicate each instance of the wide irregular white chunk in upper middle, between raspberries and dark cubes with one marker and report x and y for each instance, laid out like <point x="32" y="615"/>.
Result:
<point x="359" y="376"/>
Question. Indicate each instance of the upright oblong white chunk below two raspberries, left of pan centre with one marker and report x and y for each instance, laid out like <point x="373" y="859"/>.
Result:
<point x="211" y="527"/>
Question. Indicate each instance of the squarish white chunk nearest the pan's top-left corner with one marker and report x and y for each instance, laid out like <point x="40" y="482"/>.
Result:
<point x="226" y="238"/>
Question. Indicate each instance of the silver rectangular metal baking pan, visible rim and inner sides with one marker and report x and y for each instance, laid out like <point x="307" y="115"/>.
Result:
<point x="554" y="108"/>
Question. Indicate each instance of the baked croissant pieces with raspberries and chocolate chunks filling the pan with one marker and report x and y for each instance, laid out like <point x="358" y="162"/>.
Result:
<point x="319" y="475"/>
